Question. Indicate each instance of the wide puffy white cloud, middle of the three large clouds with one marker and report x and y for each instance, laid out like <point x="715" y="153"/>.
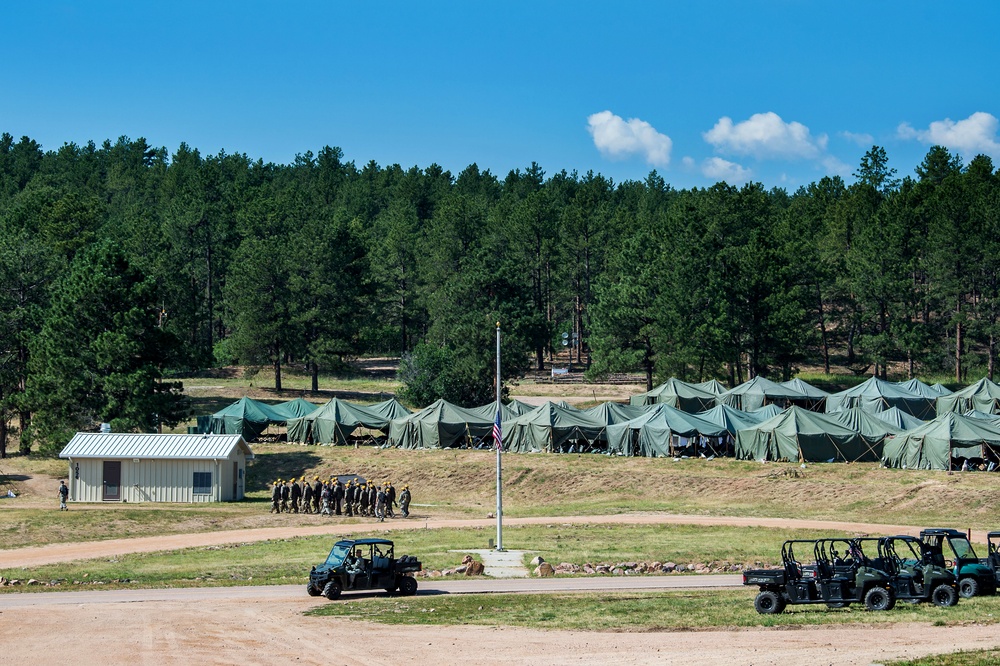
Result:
<point x="766" y="135"/>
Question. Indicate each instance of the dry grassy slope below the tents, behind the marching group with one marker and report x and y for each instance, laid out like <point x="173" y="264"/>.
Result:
<point x="461" y="484"/>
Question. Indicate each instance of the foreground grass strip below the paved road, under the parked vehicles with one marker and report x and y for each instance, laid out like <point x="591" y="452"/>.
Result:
<point x="630" y="611"/>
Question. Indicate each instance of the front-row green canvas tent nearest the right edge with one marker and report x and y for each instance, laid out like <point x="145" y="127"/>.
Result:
<point x="936" y="443"/>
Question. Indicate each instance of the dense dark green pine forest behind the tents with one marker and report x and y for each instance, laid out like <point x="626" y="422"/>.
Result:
<point x="121" y="264"/>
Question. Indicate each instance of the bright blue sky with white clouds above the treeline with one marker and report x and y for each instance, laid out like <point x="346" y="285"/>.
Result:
<point x="780" y="92"/>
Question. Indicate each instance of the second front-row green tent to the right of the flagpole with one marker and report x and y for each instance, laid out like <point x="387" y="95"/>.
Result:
<point x="650" y="434"/>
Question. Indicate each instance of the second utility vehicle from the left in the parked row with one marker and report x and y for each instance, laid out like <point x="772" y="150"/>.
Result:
<point x="911" y="570"/>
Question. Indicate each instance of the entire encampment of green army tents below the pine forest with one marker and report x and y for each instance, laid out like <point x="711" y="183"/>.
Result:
<point x="758" y="420"/>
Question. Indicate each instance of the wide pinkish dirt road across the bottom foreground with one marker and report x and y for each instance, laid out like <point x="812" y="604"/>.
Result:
<point x="274" y="630"/>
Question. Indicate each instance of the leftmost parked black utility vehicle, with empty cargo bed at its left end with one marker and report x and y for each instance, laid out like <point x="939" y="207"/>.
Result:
<point x="837" y="574"/>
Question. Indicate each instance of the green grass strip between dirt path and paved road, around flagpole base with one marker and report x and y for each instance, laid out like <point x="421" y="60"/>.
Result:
<point x="283" y="561"/>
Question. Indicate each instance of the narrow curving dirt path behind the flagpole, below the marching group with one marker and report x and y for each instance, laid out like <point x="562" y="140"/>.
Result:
<point x="39" y="555"/>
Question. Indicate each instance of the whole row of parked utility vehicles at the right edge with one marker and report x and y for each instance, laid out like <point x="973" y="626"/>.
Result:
<point x="938" y="567"/>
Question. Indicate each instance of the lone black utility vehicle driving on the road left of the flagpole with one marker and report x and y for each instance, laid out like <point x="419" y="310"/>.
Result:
<point x="363" y="564"/>
